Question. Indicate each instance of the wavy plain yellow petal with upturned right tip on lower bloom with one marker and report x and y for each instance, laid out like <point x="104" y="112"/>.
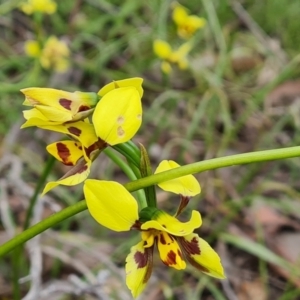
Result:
<point x="164" y="222"/>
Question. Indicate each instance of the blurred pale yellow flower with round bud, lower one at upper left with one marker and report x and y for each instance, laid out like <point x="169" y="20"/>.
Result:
<point x="54" y="55"/>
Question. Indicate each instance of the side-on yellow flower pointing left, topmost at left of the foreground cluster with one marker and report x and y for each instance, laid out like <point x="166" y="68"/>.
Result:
<point x="54" y="107"/>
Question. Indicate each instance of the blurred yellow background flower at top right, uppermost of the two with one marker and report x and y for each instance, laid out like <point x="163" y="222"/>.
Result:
<point x="187" y="24"/>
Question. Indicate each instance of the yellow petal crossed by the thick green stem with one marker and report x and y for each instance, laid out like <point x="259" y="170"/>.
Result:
<point x="186" y="185"/>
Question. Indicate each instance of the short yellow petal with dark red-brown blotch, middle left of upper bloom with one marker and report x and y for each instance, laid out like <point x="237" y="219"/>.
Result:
<point x="68" y="152"/>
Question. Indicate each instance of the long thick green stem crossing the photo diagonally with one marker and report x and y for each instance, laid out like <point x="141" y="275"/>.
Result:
<point x="202" y="166"/>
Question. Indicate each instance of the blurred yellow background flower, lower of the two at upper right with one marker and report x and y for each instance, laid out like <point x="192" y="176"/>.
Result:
<point x="178" y="57"/>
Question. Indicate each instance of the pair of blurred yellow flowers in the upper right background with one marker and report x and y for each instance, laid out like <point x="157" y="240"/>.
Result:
<point x="187" y="25"/>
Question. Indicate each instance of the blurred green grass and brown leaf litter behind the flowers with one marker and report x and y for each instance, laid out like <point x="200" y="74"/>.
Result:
<point x="240" y="93"/>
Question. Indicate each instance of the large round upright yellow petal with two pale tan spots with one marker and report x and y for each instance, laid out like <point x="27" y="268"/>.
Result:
<point x="118" y="116"/>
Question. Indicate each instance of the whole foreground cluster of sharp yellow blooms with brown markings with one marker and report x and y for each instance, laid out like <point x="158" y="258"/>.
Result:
<point x="94" y="121"/>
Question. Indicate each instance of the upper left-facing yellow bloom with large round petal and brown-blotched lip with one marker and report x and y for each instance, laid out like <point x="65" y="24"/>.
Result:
<point x="116" y="119"/>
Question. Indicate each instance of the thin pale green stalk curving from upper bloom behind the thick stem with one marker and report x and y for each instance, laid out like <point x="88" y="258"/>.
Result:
<point x="129" y="172"/>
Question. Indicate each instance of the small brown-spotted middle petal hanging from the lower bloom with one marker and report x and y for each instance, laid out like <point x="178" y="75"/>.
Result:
<point x="170" y="252"/>
